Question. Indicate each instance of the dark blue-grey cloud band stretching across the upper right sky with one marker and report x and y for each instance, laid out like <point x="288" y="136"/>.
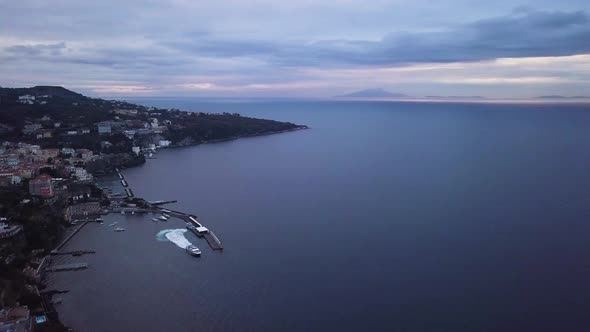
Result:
<point x="524" y="33"/>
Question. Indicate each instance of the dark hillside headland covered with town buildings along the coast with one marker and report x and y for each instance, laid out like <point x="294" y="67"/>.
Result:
<point x="53" y="144"/>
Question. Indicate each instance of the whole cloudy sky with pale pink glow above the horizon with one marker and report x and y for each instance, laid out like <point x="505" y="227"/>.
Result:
<point x="306" y="48"/>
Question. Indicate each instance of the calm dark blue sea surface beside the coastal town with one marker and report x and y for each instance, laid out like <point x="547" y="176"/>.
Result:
<point x="383" y="216"/>
